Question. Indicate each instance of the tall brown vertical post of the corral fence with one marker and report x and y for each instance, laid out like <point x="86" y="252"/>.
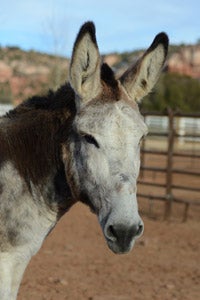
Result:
<point x="171" y="135"/>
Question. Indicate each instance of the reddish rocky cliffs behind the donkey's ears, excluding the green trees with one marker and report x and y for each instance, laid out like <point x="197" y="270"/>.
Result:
<point x="23" y="74"/>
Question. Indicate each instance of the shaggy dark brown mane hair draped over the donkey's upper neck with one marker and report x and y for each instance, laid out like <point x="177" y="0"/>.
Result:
<point x="34" y="131"/>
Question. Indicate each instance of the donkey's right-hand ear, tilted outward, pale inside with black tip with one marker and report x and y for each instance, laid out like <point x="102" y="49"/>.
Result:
<point x="141" y="78"/>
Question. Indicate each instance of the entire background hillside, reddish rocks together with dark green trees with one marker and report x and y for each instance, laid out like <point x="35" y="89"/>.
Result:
<point x="23" y="74"/>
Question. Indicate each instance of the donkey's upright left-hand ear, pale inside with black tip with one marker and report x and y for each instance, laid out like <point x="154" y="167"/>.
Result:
<point x="84" y="73"/>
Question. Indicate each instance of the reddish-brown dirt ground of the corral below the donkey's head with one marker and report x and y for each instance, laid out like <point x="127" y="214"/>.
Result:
<point x="75" y="263"/>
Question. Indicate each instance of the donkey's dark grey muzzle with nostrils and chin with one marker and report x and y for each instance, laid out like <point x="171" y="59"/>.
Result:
<point x="121" y="237"/>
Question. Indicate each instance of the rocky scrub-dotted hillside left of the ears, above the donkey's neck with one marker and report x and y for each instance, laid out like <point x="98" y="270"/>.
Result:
<point x="23" y="74"/>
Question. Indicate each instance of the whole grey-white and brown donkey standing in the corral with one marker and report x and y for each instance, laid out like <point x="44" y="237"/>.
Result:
<point x="80" y="143"/>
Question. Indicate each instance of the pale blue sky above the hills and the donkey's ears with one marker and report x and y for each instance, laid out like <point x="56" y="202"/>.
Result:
<point x="51" y="25"/>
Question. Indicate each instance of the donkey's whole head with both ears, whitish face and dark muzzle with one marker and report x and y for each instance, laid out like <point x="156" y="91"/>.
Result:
<point x="102" y="158"/>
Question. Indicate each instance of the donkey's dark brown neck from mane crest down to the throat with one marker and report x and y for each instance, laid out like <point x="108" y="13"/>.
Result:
<point x="31" y="138"/>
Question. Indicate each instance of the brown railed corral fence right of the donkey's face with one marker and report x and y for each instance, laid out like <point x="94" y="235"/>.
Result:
<point x="170" y="161"/>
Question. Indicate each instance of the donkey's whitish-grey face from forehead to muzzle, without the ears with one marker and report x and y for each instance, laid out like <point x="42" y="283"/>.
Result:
<point x="111" y="170"/>
